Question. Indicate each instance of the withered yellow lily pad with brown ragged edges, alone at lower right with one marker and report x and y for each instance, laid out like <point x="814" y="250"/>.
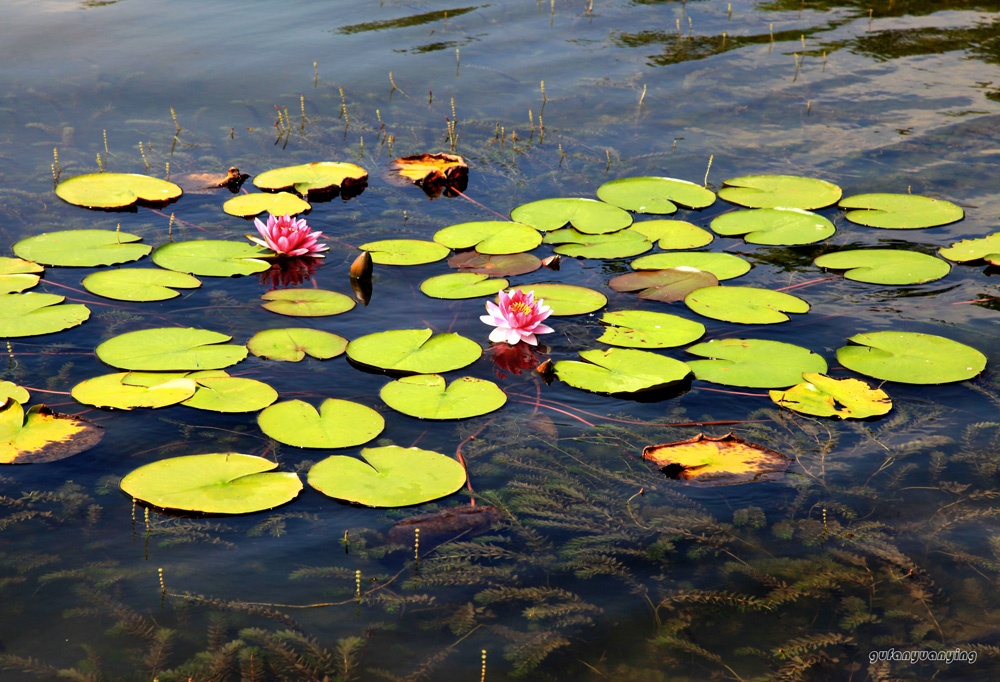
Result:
<point x="725" y="460"/>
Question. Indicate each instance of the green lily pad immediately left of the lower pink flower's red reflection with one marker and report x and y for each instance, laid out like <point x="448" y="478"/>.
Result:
<point x="414" y="350"/>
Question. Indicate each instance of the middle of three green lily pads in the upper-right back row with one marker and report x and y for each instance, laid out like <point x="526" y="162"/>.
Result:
<point x="773" y="191"/>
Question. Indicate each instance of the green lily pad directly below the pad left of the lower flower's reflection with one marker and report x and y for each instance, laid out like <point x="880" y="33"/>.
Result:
<point x="425" y="396"/>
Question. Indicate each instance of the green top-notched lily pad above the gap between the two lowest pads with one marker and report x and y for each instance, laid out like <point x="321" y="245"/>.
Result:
<point x="337" y="423"/>
